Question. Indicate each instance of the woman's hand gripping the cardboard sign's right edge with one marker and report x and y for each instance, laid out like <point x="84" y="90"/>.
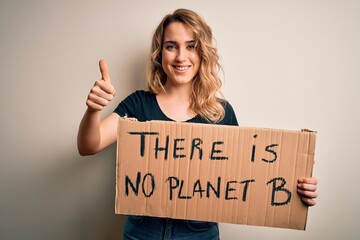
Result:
<point x="307" y="190"/>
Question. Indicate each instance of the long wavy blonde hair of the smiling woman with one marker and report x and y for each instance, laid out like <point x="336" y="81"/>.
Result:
<point x="206" y="84"/>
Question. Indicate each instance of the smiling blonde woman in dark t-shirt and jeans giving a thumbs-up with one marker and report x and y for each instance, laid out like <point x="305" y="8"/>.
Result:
<point x="183" y="86"/>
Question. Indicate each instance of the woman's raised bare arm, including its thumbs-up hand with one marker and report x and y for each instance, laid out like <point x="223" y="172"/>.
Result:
<point x="94" y="135"/>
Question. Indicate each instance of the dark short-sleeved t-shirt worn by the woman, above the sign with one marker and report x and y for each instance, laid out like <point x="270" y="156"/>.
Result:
<point x="143" y="106"/>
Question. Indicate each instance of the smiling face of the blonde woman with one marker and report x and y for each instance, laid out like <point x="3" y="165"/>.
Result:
<point x="180" y="57"/>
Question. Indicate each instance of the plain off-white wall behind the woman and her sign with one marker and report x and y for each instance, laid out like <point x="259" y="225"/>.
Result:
<point x="288" y="64"/>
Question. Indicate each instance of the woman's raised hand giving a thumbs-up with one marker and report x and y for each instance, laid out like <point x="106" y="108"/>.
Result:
<point x="102" y="92"/>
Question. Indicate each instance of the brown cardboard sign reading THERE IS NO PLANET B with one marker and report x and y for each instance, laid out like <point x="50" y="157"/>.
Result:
<point x="212" y="172"/>
